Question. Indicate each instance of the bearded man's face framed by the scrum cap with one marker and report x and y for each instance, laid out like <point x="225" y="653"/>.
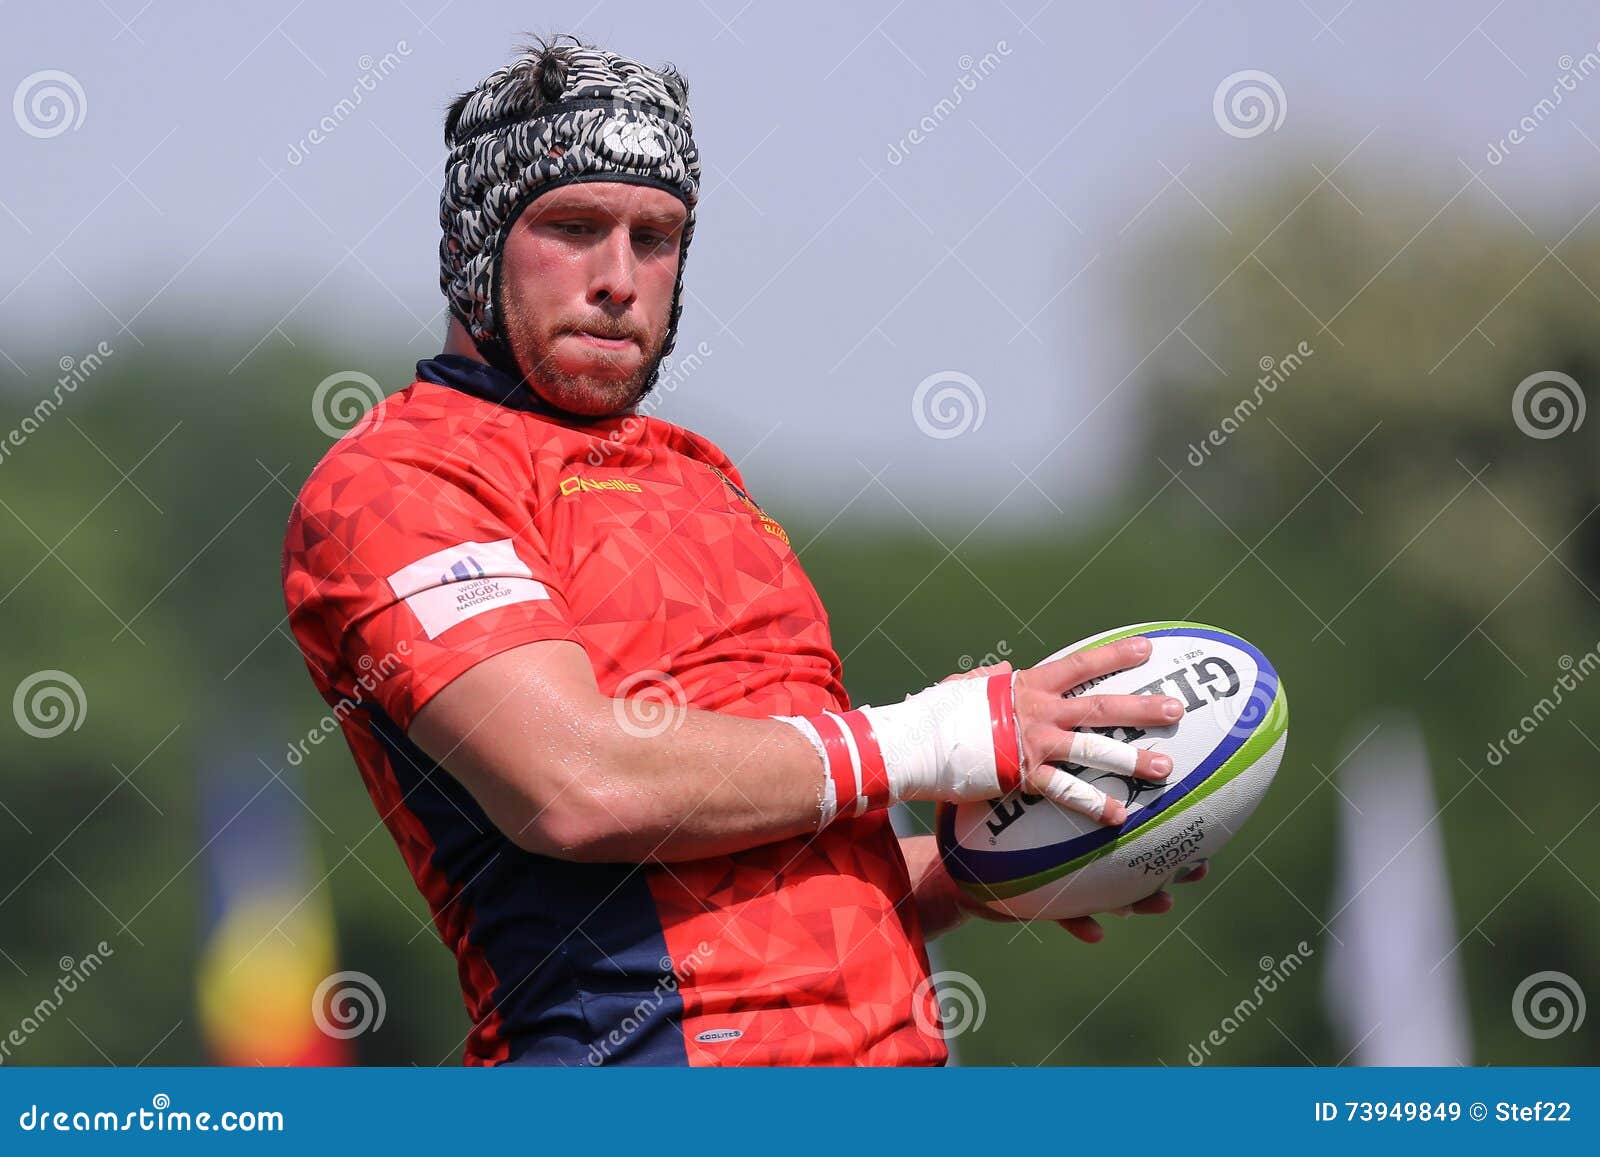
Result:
<point x="588" y="292"/>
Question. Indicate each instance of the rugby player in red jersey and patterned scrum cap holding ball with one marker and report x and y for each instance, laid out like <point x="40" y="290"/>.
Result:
<point x="583" y="675"/>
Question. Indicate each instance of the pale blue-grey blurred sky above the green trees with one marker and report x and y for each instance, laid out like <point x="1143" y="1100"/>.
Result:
<point x="826" y="281"/>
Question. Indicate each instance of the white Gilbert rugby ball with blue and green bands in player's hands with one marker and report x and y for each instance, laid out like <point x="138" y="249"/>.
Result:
<point x="1030" y="859"/>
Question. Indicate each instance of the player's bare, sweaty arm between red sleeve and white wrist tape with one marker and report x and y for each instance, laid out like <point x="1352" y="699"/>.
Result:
<point x="567" y="772"/>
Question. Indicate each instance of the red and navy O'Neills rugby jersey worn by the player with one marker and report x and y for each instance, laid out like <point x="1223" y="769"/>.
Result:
<point x="463" y="519"/>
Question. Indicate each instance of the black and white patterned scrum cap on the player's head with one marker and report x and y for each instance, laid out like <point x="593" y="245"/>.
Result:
<point x="554" y="116"/>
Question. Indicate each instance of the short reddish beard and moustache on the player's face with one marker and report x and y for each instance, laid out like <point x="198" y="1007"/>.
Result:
<point x="593" y="393"/>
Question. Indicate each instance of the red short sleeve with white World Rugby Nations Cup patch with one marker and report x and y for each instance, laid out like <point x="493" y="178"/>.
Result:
<point x="401" y="574"/>
